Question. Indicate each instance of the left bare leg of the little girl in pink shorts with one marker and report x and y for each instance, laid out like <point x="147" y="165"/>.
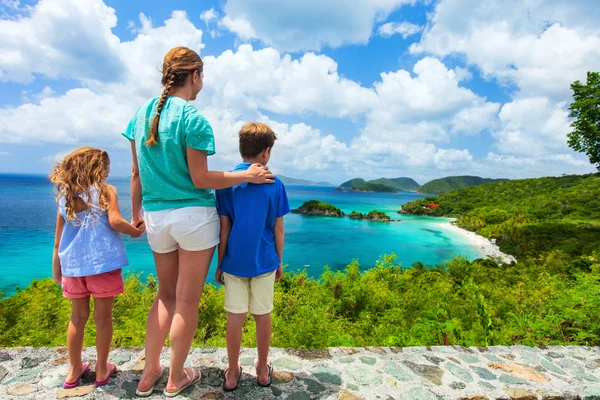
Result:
<point x="80" y="312"/>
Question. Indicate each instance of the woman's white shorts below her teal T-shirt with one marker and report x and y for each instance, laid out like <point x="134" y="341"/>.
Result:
<point x="188" y="228"/>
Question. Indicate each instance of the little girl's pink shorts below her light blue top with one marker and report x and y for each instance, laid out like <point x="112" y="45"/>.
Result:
<point x="103" y="285"/>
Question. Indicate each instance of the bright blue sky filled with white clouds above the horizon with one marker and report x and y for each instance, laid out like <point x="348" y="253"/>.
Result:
<point x="390" y="88"/>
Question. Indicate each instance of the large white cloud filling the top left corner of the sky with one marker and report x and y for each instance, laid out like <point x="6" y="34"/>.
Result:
<point x="40" y="44"/>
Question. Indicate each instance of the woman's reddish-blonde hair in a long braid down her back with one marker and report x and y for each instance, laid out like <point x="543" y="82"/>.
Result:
<point x="178" y="64"/>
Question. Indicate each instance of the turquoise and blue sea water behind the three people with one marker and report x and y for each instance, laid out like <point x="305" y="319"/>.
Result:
<point x="28" y="212"/>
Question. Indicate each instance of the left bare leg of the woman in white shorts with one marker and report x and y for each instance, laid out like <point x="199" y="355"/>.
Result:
<point x="160" y="316"/>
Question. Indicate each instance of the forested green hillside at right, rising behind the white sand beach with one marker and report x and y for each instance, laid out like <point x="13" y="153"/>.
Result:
<point x="528" y="217"/>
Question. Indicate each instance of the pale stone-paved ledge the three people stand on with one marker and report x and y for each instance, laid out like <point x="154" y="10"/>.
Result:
<point x="414" y="373"/>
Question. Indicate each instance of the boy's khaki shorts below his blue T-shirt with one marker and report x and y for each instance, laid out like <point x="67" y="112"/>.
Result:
<point x="249" y="294"/>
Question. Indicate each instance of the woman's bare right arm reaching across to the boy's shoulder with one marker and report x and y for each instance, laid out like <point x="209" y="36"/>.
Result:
<point x="203" y="178"/>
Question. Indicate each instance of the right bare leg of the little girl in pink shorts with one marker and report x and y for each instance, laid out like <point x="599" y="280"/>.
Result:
<point x="103" y="320"/>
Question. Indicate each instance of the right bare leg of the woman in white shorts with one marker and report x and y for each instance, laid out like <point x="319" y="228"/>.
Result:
<point x="193" y="267"/>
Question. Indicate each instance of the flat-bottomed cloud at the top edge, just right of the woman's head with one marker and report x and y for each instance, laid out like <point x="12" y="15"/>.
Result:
<point x="309" y="24"/>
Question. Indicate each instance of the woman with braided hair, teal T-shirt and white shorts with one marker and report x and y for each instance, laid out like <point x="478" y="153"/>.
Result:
<point x="171" y="183"/>
